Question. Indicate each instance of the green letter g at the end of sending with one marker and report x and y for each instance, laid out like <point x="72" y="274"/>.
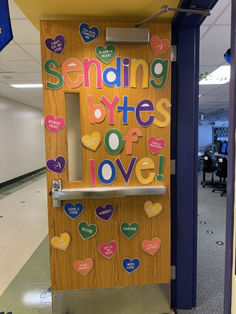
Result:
<point x="159" y="70"/>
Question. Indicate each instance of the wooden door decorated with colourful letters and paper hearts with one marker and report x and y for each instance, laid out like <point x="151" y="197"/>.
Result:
<point x="120" y="138"/>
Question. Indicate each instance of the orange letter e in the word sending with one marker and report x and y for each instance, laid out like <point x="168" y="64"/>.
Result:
<point x="72" y="65"/>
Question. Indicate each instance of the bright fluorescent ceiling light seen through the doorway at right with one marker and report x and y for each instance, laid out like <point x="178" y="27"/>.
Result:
<point x="219" y="76"/>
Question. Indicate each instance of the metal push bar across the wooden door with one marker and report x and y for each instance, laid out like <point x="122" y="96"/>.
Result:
<point x="58" y="194"/>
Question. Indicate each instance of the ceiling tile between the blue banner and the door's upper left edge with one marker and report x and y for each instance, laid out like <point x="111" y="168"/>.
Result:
<point x="24" y="32"/>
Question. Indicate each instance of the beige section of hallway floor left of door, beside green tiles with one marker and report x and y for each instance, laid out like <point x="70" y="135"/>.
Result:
<point x="23" y="225"/>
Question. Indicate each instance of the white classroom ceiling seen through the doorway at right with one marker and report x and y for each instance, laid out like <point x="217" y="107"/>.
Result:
<point x="215" y="40"/>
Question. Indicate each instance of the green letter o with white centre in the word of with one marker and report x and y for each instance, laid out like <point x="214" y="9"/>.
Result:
<point x="113" y="141"/>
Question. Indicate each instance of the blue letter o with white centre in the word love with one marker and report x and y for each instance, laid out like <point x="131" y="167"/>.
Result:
<point x="106" y="172"/>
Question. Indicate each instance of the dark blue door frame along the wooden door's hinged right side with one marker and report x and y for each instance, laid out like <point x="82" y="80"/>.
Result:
<point x="184" y="130"/>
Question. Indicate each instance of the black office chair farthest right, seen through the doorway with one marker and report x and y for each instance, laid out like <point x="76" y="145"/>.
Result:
<point x="221" y="172"/>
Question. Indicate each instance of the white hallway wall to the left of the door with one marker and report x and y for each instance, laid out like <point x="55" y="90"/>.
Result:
<point x="21" y="139"/>
